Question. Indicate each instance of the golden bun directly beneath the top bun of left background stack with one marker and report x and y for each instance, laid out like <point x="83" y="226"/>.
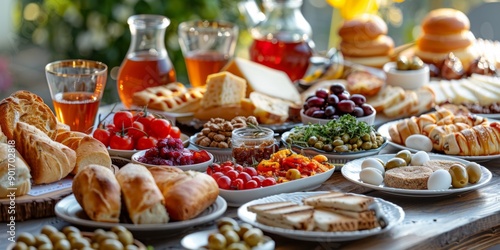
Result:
<point x="381" y="46"/>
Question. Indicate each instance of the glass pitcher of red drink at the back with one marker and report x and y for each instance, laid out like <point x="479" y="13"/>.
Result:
<point x="283" y="39"/>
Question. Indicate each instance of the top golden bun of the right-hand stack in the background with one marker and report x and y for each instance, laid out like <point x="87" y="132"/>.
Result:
<point x="445" y="21"/>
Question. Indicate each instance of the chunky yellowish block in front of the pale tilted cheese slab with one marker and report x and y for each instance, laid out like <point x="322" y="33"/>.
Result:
<point x="223" y="88"/>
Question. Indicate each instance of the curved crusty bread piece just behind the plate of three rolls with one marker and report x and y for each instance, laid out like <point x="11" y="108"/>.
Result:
<point x="88" y="149"/>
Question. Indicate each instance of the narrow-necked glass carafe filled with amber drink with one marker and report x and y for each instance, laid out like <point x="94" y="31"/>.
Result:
<point x="147" y="63"/>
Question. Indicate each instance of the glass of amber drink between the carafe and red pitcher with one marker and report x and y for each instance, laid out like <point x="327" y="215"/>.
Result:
<point x="207" y="46"/>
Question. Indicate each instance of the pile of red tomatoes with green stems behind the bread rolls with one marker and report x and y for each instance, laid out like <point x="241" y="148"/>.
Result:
<point x="129" y="131"/>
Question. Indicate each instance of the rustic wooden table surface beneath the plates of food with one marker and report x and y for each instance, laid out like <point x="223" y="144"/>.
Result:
<point x="453" y="221"/>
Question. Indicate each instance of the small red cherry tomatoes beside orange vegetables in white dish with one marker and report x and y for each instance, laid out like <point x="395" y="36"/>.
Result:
<point x="229" y="175"/>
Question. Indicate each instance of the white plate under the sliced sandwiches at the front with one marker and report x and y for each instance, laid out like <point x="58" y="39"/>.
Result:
<point x="390" y="213"/>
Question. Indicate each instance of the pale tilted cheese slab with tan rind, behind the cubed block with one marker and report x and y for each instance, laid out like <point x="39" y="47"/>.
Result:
<point x="263" y="79"/>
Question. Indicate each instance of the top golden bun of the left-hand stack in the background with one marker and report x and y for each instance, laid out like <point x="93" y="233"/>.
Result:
<point x="363" y="28"/>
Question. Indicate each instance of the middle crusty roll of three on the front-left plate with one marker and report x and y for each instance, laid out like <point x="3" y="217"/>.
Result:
<point x="143" y="199"/>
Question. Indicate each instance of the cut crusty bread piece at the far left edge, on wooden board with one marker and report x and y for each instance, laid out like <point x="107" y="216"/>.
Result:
<point x="11" y="160"/>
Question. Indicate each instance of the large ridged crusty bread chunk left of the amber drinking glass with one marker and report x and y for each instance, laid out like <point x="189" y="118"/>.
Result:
<point x="49" y="160"/>
